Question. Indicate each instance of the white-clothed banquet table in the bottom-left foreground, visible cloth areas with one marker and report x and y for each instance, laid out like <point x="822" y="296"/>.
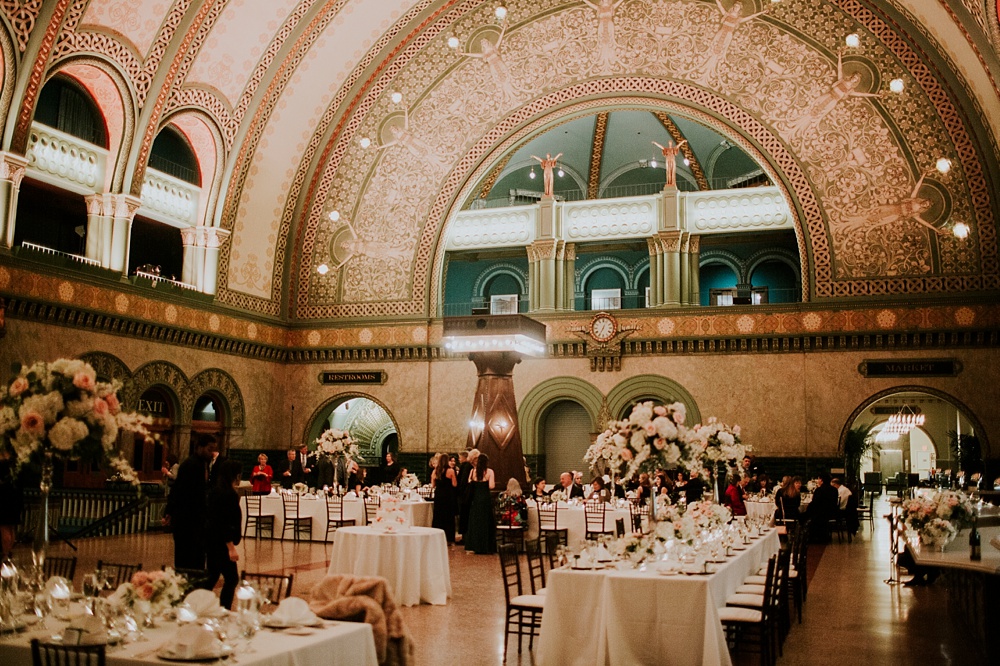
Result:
<point x="333" y="644"/>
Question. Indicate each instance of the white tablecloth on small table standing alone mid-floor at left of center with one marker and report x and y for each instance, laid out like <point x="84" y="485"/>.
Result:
<point x="414" y="562"/>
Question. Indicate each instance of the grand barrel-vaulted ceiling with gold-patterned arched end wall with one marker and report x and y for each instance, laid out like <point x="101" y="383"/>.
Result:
<point x="293" y="87"/>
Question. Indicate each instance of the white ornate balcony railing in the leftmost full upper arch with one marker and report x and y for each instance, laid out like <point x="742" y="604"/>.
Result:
<point x="64" y="160"/>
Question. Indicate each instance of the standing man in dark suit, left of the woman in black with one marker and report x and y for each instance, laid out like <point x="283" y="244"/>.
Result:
<point x="186" y="511"/>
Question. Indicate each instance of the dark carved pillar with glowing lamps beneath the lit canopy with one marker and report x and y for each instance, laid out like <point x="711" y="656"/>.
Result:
<point x="494" y="414"/>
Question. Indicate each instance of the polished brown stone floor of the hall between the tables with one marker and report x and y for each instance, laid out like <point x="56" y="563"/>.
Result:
<point x="851" y="616"/>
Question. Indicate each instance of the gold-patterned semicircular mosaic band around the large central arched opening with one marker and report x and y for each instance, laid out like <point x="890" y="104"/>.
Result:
<point x="882" y="215"/>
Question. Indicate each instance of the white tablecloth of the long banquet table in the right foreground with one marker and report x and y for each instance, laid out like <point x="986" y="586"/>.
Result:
<point x="642" y="617"/>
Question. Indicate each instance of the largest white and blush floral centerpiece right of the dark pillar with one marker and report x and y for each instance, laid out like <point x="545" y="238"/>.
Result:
<point x="651" y="437"/>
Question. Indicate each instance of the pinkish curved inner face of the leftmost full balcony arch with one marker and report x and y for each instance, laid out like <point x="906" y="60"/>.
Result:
<point x="99" y="77"/>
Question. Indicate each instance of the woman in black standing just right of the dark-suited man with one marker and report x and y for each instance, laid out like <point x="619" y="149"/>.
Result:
<point x="224" y="521"/>
